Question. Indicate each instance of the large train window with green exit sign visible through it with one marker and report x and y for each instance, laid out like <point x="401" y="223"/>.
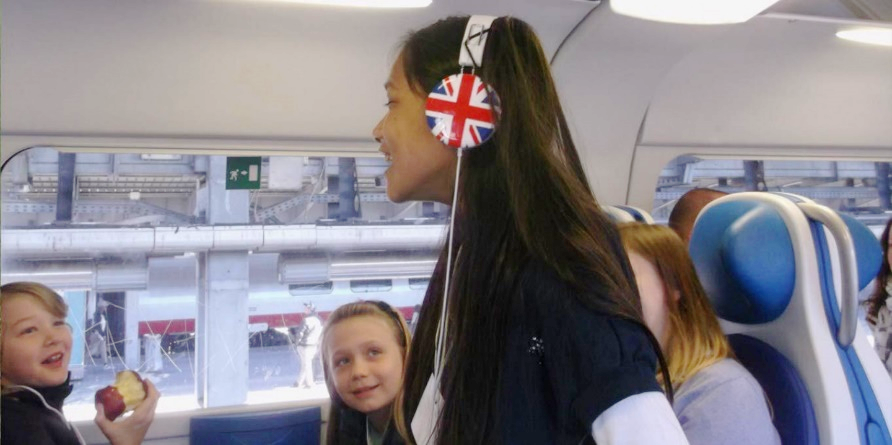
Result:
<point x="166" y="254"/>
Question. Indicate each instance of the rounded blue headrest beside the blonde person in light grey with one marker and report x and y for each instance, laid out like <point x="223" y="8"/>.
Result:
<point x="744" y="258"/>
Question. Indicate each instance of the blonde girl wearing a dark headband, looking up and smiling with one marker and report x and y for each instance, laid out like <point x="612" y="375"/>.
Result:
<point x="364" y="347"/>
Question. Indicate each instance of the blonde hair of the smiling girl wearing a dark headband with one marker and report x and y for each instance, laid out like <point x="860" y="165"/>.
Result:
<point x="395" y="319"/>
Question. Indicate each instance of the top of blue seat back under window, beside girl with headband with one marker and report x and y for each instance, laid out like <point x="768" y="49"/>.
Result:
<point x="298" y="426"/>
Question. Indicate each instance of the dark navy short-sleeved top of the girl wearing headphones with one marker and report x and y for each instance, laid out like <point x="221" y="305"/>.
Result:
<point x="566" y="364"/>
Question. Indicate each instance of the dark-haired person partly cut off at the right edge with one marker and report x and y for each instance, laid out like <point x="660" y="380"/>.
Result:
<point x="879" y="305"/>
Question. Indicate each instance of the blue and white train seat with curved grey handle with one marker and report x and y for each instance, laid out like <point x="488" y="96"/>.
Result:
<point x="783" y="274"/>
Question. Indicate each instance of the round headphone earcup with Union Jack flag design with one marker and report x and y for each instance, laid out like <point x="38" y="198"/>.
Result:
<point x="461" y="111"/>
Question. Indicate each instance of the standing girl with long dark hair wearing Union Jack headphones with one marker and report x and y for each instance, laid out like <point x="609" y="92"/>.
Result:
<point x="541" y="338"/>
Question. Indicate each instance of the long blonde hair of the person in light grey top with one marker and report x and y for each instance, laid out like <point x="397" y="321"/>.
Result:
<point x="695" y="338"/>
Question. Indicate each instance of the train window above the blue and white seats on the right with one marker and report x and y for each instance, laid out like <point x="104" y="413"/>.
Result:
<point x="859" y="188"/>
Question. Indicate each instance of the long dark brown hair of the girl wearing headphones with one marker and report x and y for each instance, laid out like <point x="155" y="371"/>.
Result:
<point x="523" y="198"/>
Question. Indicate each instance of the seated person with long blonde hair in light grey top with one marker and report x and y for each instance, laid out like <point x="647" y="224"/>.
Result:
<point x="717" y="401"/>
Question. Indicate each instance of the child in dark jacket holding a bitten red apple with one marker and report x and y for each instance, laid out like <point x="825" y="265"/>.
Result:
<point x="34" y="356"/>
